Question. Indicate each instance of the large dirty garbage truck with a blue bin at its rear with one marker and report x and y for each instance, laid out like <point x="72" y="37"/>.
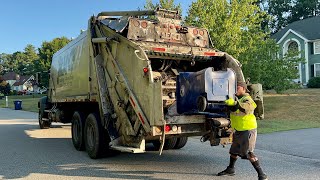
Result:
<point x="137" y="77"/>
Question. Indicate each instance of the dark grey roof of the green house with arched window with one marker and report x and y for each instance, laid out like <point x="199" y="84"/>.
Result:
<point x="308" y="28"/>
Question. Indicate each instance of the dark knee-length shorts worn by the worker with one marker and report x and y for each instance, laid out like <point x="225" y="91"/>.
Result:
<point x="243" y="143"/>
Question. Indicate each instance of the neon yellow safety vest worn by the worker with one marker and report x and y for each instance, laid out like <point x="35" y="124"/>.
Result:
<point x="243" y="120"/>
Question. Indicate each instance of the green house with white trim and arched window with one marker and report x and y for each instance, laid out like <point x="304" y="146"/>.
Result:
<point x="304" y="36"/>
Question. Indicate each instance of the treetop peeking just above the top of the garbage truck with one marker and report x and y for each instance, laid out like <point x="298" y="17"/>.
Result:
<point x="164" y="4"/>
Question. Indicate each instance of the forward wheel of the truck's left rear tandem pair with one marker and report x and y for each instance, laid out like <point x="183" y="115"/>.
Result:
<point x="77" y="131"/>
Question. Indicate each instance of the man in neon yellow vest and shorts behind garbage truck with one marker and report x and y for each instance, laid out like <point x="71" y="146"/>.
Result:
<point x="244" y="124"/>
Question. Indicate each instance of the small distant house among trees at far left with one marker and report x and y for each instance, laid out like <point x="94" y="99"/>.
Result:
<point x="19" y="83"/>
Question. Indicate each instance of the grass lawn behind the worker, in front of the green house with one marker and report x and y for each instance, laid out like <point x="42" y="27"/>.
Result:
<point x="296" y="109"/>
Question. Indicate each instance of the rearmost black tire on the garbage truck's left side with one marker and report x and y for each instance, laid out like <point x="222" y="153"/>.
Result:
<point x="96" y="142"/>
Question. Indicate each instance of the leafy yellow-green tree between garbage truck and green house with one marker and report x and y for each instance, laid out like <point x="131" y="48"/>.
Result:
<point x="235" y="27"/>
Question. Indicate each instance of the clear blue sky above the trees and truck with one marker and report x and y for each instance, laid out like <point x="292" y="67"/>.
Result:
<point x="25" y="22"/>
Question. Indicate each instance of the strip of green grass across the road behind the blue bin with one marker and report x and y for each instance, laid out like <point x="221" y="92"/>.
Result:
<point x="29" y="102"/>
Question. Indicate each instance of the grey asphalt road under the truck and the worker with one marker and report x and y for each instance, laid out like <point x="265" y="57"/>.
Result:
<point x="27" y="152"/>
